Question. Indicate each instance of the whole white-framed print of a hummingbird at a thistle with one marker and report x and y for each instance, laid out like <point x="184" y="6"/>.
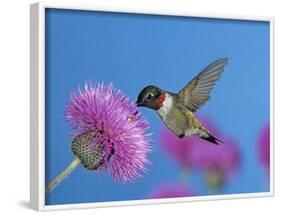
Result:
<point x="140" y="106"/>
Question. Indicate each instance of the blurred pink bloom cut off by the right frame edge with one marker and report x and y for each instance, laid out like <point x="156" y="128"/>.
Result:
<point x="264" y="146"/>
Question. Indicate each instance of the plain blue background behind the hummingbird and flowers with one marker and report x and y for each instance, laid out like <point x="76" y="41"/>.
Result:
<point x="133" y="51"/>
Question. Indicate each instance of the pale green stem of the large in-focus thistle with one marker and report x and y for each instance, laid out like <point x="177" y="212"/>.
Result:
<point x="63" y="175"/>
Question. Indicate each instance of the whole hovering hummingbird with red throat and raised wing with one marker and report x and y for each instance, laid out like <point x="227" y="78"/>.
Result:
<point x="177" y="110"/>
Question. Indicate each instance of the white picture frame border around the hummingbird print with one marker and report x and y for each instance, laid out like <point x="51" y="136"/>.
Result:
<point x="37" y="110"/>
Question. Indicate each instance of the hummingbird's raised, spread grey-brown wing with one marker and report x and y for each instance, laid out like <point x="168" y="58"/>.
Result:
<point x="197" y="91"/>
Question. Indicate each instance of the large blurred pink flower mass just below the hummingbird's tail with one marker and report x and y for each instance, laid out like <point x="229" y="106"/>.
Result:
<point x="193" y="152"/>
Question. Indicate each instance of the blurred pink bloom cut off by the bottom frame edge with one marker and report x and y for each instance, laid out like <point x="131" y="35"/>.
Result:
<point x="171" y="190"/>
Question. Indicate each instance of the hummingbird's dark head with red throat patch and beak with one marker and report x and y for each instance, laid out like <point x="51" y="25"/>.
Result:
<point x="151" y="97"/>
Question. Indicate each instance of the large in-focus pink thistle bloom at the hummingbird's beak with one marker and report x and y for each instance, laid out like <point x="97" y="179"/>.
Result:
<point x="111" y="122"/>
